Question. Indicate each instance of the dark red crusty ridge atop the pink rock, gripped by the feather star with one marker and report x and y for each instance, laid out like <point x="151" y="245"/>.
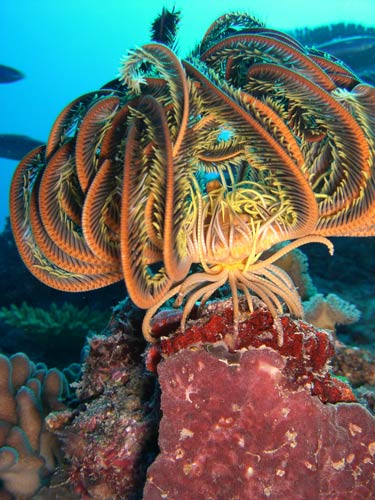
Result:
<point x="307" y="351"/>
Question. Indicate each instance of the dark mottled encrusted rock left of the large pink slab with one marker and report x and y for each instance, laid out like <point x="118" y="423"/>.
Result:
<point x="111" y="437"/>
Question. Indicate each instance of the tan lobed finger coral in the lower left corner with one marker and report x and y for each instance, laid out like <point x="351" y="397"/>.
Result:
<point x="29" y="453"/>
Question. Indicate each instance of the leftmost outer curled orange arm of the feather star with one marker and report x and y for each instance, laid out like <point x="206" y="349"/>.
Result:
<point x="43" y="255"/>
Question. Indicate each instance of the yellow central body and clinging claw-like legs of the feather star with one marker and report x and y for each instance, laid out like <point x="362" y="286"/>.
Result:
<point x="229" y="230"/>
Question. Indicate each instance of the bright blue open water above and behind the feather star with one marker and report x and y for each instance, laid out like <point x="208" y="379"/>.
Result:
<point x="71" y="47"/>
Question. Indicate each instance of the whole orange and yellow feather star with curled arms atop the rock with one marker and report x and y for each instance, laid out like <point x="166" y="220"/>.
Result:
<point x="251" y="147"/>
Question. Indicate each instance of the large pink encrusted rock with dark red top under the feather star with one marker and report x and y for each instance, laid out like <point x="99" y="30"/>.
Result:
<point x="243" y="423"/>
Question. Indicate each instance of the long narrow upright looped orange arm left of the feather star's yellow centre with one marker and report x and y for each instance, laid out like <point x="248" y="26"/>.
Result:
<point x="153" y="206"/>
